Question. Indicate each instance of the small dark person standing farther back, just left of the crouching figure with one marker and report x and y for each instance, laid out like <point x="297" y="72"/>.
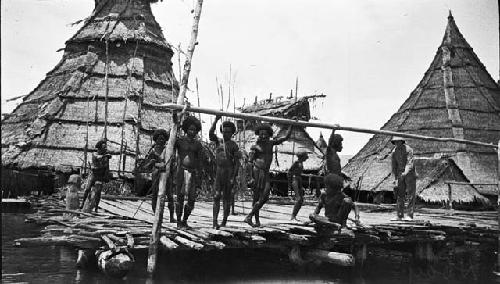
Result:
<point x="295" y="182"/>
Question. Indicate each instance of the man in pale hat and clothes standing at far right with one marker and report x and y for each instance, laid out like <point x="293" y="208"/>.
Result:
<point x="405" y="177"/>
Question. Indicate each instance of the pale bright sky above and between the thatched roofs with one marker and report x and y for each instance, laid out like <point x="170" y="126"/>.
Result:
<point x="366" y="56"/>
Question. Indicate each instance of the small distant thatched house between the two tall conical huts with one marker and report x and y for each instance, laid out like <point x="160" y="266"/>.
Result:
<point x="285" y="154"/>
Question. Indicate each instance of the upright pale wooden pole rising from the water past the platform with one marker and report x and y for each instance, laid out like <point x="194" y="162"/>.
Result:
<point x="169" y="150"/>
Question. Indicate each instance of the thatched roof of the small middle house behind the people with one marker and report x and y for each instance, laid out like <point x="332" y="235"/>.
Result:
<point x="299" y="141"/>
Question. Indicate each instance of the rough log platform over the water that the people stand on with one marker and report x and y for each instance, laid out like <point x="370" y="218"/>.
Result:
<point x="129" y="220"/>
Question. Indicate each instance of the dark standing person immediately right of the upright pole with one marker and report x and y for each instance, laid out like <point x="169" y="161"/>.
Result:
<point x="189" y="153"/>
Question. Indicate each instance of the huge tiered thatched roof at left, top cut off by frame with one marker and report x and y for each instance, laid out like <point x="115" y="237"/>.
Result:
<point x="48" y="129"/>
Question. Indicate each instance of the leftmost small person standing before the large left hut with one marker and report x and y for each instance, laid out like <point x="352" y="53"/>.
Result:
<point x="99" y="172"/>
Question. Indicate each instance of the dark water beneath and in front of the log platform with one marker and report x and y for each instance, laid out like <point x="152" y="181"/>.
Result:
<point x="57" y="265"/>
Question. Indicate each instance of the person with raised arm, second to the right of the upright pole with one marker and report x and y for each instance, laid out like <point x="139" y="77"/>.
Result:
<point x="227" y="158"/>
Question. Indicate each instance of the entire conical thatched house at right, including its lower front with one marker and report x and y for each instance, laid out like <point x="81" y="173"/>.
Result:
<point x="456" y="98"/>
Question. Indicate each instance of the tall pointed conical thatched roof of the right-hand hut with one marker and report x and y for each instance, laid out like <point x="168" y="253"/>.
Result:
<point x="456" y="98"/>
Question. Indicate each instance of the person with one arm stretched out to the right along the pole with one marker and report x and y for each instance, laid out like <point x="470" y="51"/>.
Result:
<point x="261" y="156"/>
